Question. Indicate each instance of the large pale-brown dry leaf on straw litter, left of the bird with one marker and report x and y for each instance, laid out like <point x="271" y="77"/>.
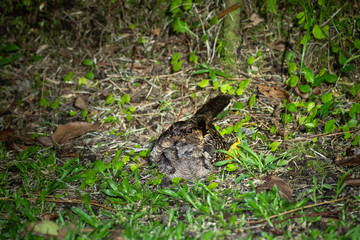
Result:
<point x="72" y="130"/>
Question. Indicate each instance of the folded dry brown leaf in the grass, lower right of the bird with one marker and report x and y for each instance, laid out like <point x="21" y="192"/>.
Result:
<point x="285" y="190"/>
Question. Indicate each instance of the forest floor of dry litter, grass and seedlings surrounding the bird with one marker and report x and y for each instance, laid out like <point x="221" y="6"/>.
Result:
<point x="85" y="89"/>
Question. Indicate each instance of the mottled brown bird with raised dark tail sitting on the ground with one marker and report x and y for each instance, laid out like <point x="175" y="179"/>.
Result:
<point x="187" y="149"/>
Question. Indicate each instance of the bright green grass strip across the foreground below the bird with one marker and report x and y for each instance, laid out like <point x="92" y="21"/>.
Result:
<point x="120" y="200"/>
